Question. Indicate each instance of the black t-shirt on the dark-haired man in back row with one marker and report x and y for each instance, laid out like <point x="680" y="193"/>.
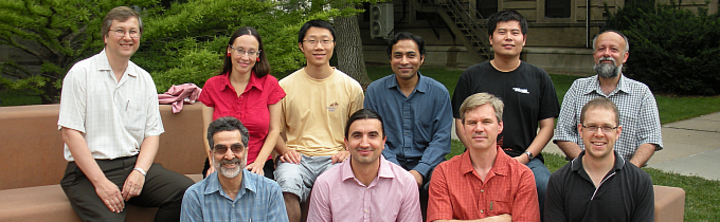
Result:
<point x="527" y="92"/>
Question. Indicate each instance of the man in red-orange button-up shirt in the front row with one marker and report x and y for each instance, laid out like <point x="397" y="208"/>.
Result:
<point x="484" y="182"/>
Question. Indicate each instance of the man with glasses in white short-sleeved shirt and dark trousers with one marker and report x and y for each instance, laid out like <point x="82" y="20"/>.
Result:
<point x="110" y="124"/>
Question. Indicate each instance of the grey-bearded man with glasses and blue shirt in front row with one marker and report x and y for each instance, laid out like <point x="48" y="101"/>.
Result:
<point x="232" y="193"/>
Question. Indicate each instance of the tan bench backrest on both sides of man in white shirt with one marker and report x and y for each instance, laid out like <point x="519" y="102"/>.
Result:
<point x="30" y="135"/>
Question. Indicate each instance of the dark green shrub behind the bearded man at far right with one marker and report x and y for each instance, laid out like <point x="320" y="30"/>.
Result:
<point x="673" y="50"/>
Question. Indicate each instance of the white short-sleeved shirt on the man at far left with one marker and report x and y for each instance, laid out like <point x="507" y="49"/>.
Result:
<point x="113" y="116"/>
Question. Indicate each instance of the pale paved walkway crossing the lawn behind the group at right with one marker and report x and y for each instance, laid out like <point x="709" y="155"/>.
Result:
<point x="692" y="147"/>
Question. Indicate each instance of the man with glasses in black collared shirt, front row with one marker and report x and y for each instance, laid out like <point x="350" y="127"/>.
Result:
<point x="599" y="185"/>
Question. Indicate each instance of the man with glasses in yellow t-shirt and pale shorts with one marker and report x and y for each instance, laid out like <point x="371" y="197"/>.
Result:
<point x="319" y="101"/>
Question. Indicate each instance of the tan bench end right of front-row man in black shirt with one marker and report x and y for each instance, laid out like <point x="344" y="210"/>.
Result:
<point x="669" y="203"/>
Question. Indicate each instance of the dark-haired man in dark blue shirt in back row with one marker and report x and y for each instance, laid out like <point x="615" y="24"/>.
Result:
<point x="416" y="109"/>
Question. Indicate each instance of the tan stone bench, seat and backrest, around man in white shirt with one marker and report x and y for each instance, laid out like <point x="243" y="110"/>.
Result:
<point x="33" y="164"/>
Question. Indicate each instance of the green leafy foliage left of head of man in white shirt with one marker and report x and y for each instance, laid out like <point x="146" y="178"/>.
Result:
<point x="56" y="32"/>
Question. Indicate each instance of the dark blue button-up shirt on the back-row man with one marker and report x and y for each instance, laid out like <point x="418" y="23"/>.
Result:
<point x="417" y="126"/>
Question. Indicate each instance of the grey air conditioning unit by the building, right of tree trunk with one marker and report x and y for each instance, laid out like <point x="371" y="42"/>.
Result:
<point x="382" y="21"/>
